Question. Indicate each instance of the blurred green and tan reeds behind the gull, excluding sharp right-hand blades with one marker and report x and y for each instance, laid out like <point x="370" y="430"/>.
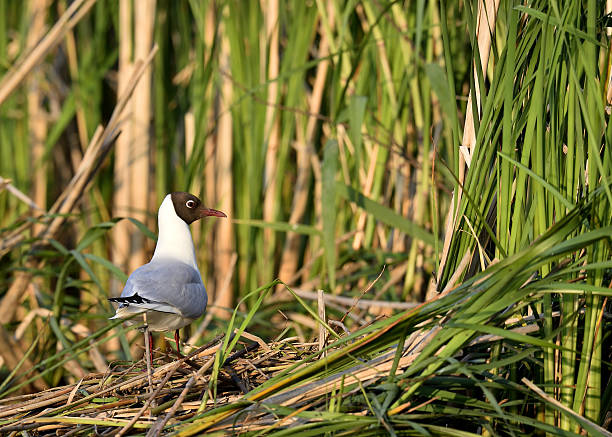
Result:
<point x="238" y="106"/>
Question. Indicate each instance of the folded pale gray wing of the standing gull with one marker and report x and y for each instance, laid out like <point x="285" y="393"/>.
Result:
<point x="170" y="283"/>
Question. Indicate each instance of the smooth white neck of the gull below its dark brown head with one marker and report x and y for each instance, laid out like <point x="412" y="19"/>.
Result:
<point x="174" y="238"/>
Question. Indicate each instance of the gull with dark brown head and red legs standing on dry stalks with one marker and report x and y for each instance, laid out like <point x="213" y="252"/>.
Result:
<point x="167" y="293"/>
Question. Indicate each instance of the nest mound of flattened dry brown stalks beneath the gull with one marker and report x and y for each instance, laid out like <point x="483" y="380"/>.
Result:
<point x="123" y="401"/>
